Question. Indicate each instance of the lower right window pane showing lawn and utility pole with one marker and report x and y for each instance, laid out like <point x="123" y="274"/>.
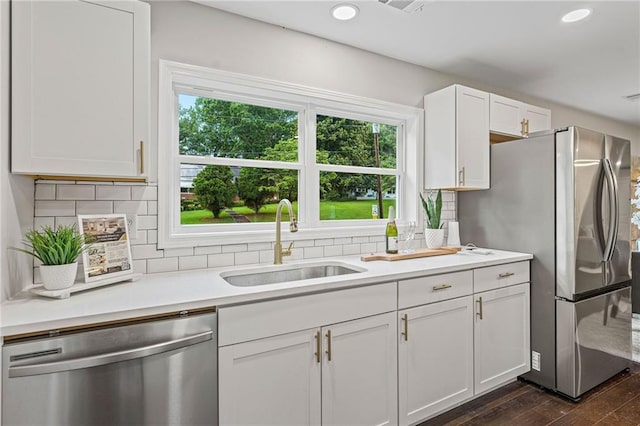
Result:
<point x="355" y="196"/>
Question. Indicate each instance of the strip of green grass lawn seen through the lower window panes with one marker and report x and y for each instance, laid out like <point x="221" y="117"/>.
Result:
<point x="329" y="210"/>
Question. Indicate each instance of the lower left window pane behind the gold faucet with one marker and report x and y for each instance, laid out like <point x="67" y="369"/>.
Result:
<point x="224" y="194"/>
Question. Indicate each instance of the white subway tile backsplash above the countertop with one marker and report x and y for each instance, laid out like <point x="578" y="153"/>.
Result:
<point x="58" y="202"/>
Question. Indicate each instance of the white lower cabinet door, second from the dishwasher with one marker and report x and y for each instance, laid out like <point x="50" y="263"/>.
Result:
<point x="359" y="372"/>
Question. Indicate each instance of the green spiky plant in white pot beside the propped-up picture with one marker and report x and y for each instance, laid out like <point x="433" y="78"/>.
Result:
<point x="58" y="250"/>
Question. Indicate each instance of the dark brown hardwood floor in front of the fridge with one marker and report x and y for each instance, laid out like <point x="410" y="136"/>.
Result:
<point x="614" y="403"/>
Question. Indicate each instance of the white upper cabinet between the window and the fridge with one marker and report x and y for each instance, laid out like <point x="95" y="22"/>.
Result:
<point x="457" y="138"/>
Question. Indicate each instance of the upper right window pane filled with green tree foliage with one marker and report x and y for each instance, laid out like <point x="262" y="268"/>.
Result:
<point x="345" y="142"/>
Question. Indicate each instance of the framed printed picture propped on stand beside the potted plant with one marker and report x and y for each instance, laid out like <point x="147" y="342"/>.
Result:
<point x="109" y="255"/>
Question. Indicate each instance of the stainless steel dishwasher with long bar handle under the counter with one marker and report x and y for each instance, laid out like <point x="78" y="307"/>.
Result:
<point x="159" y="370"/>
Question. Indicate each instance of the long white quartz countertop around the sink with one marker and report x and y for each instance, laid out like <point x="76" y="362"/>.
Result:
<point x="184" y="290"/>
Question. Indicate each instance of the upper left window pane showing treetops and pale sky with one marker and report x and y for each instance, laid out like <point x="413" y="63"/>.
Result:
<point x="216" y="128"/>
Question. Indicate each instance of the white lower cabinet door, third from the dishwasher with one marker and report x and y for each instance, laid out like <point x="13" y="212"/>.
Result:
<point x="435" y="358"/>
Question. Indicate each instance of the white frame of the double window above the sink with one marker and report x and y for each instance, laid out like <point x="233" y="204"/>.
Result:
<point x="176" y="78"/>
